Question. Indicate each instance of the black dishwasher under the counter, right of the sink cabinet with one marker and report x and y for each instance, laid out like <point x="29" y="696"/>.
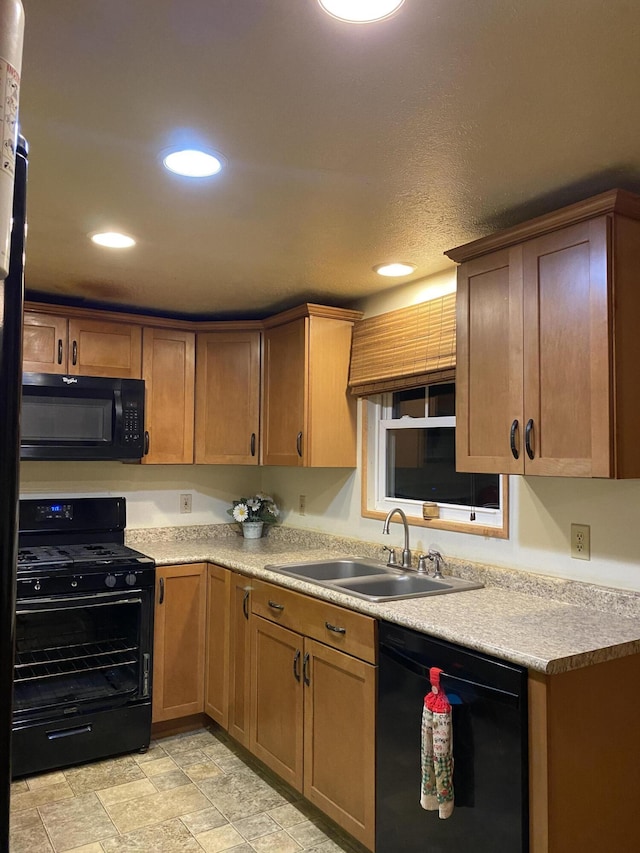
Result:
<point x="489" y="724"/>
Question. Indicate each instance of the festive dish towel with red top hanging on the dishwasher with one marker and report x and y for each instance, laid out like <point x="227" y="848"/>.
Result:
<point x="437" y="750"/>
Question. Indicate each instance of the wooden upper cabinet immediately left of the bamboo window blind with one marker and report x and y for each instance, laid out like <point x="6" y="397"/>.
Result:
<point x="309" y="417"/>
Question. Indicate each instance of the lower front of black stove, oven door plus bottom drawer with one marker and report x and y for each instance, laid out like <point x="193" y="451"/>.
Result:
<point x="82" y="688"/>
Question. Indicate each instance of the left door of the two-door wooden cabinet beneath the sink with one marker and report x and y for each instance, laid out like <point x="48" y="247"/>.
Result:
<point x="276" y="735"/>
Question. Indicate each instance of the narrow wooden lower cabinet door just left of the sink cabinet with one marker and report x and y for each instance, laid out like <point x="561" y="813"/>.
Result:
<point x="239" y="658"/>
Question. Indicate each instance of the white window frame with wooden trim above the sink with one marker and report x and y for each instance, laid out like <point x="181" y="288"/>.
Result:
<point x="488" y="522"/>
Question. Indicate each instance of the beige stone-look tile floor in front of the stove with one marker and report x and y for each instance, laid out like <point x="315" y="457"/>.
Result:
<point x="189" y="793"/>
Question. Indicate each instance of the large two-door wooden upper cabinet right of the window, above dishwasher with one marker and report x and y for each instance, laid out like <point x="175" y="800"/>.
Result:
<point x="547" y="351"/>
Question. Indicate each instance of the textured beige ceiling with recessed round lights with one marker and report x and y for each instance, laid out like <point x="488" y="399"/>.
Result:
<point x="346" y="145"/>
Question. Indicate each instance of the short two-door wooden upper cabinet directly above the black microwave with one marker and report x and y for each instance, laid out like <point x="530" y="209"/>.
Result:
<point x="81" y="347"/>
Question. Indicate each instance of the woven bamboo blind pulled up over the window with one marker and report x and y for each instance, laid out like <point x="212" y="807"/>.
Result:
<point x="404" y="349"/>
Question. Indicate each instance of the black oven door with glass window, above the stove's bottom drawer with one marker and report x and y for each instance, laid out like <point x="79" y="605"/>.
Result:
<point x="82" y="651"/>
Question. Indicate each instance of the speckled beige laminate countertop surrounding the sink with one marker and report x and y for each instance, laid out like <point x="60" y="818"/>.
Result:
<point x="544" y="623"/>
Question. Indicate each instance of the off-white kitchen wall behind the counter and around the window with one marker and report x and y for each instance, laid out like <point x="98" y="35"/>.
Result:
<point x="542" y="508"/>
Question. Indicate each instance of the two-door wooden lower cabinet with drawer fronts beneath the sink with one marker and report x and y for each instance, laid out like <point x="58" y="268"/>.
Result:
<point x="313" y="706"/>
